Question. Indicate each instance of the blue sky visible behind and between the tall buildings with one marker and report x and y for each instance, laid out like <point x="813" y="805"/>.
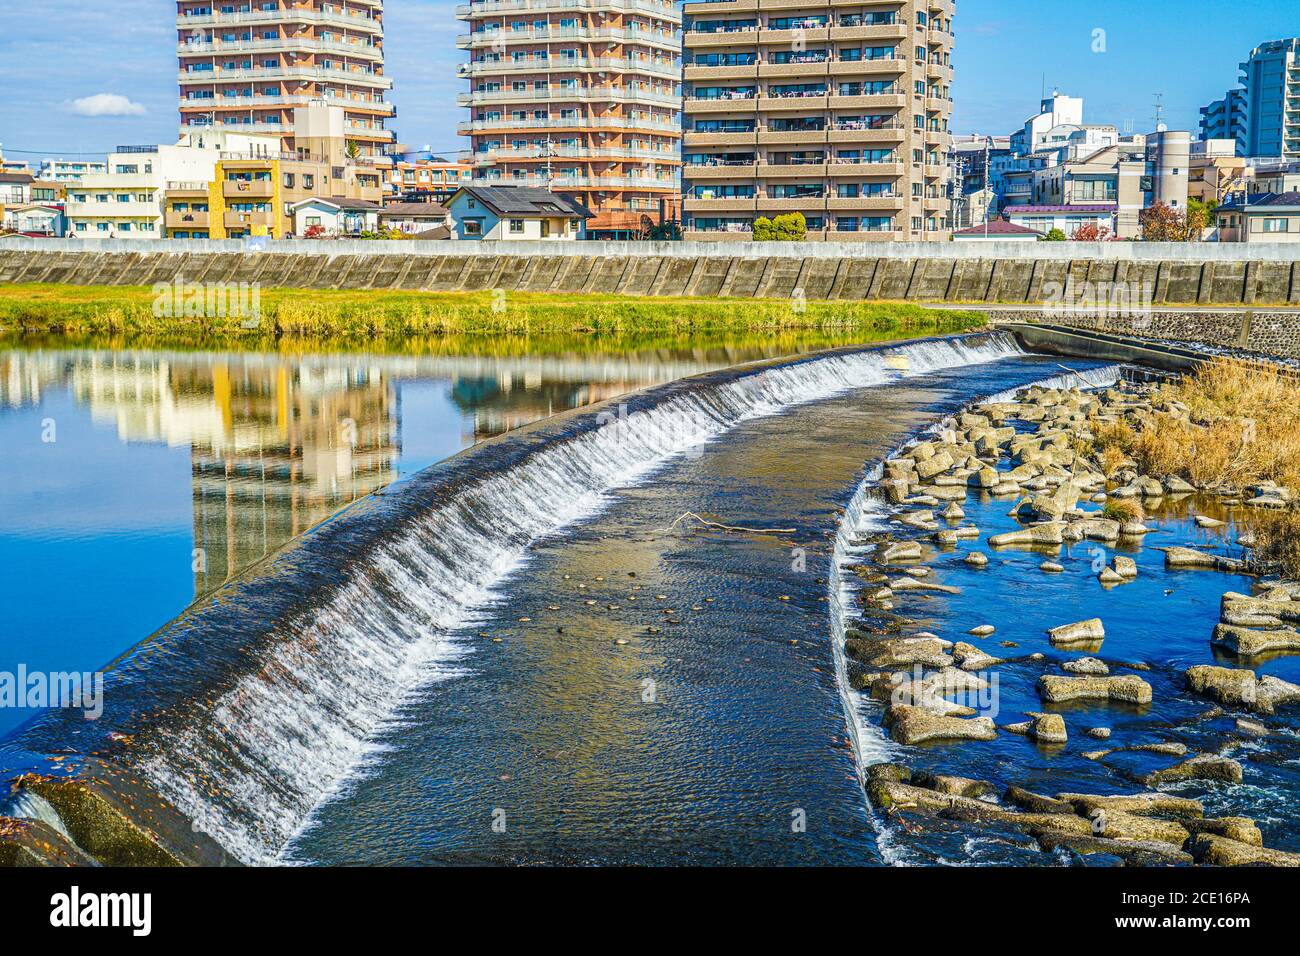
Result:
<point x="88" y="75"/>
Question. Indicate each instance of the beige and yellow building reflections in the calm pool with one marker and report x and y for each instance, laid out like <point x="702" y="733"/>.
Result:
<point x="280" y="444"/>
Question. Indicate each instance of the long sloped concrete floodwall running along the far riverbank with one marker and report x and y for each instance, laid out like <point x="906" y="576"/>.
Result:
<point x="1149" y="274"/>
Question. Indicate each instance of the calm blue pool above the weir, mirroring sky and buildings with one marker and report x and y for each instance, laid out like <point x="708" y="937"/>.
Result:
<point x="135" y="481"/>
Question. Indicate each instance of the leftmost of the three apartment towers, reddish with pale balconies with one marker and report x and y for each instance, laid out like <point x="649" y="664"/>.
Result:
<point x="248" y="64"/>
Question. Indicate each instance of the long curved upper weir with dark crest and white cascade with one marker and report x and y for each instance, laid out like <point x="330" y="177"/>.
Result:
<point x="250" y="710"/>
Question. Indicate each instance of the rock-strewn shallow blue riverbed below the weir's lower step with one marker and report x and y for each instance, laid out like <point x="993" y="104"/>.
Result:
<point x="1074" y="661"/>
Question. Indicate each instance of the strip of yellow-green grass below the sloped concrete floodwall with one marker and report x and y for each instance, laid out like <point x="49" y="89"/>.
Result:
<point x="129" y="312"/>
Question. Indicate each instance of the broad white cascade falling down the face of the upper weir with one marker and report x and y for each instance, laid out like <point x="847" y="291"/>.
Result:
<point x="267" y="752"/>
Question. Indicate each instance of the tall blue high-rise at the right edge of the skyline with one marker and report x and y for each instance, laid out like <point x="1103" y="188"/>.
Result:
<point x="1272" y="93"/>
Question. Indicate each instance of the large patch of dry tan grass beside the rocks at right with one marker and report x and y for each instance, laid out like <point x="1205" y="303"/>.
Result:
<point x="1243" y="427"/>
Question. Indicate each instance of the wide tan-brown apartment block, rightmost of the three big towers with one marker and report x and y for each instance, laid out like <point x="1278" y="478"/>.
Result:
<point x="838" y="111"/>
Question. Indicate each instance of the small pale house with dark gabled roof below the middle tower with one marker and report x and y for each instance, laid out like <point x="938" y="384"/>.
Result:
<point x="515" y="213"/>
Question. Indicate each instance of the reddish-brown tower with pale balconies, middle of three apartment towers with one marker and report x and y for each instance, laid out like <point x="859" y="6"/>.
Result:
<point x="579" y="97"/>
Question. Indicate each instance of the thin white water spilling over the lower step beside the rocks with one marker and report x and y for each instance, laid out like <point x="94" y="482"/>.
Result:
<point x="866" y="514"/>
